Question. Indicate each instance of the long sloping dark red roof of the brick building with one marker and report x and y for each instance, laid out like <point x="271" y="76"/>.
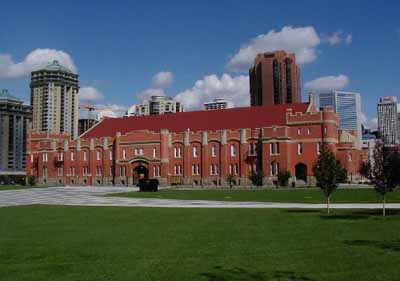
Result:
<point x="210" y="120"/>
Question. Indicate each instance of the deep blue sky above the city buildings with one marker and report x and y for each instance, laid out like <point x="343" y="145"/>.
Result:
<point x="118" y="47"/>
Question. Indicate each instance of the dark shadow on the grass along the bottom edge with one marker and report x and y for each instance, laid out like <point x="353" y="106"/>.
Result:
<point x="228" y="274"/>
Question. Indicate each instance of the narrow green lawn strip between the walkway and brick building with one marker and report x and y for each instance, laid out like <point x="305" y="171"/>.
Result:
<point x="309" y="195"/>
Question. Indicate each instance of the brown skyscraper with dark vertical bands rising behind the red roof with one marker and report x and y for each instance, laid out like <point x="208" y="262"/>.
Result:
<point x="275" y="79"/>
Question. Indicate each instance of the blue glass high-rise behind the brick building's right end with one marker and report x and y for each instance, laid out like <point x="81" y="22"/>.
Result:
<point x="347" y="106"/>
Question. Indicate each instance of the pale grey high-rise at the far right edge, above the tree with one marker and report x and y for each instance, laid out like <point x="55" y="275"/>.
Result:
<point x="388" y="120"/>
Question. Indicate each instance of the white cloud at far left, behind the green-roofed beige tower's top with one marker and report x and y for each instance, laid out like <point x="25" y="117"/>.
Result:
<point x="34" y="60"/>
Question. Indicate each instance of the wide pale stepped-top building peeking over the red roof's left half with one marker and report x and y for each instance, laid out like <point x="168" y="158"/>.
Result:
<point x="155" y="106"/>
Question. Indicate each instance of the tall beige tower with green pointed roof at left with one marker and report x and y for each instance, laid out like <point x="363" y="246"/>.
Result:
<point x="54" y="100"/>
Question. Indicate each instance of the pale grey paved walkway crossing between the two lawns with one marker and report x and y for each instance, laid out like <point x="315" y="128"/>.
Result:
<point x="94" y="196"/>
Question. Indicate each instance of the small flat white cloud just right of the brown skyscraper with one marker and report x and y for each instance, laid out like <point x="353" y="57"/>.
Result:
<point x="328" y="83"/>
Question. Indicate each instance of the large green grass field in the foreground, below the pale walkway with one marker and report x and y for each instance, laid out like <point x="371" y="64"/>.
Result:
<point x="121" y="244"/>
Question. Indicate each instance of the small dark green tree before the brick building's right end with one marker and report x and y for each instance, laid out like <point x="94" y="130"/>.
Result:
<point x="329" y="173"/>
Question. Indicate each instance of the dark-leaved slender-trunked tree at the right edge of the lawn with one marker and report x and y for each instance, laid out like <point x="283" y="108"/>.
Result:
<point x="384" y="172"/>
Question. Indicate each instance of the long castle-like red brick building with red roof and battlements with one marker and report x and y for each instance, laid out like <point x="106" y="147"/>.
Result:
<point x="194" y="148"/>
